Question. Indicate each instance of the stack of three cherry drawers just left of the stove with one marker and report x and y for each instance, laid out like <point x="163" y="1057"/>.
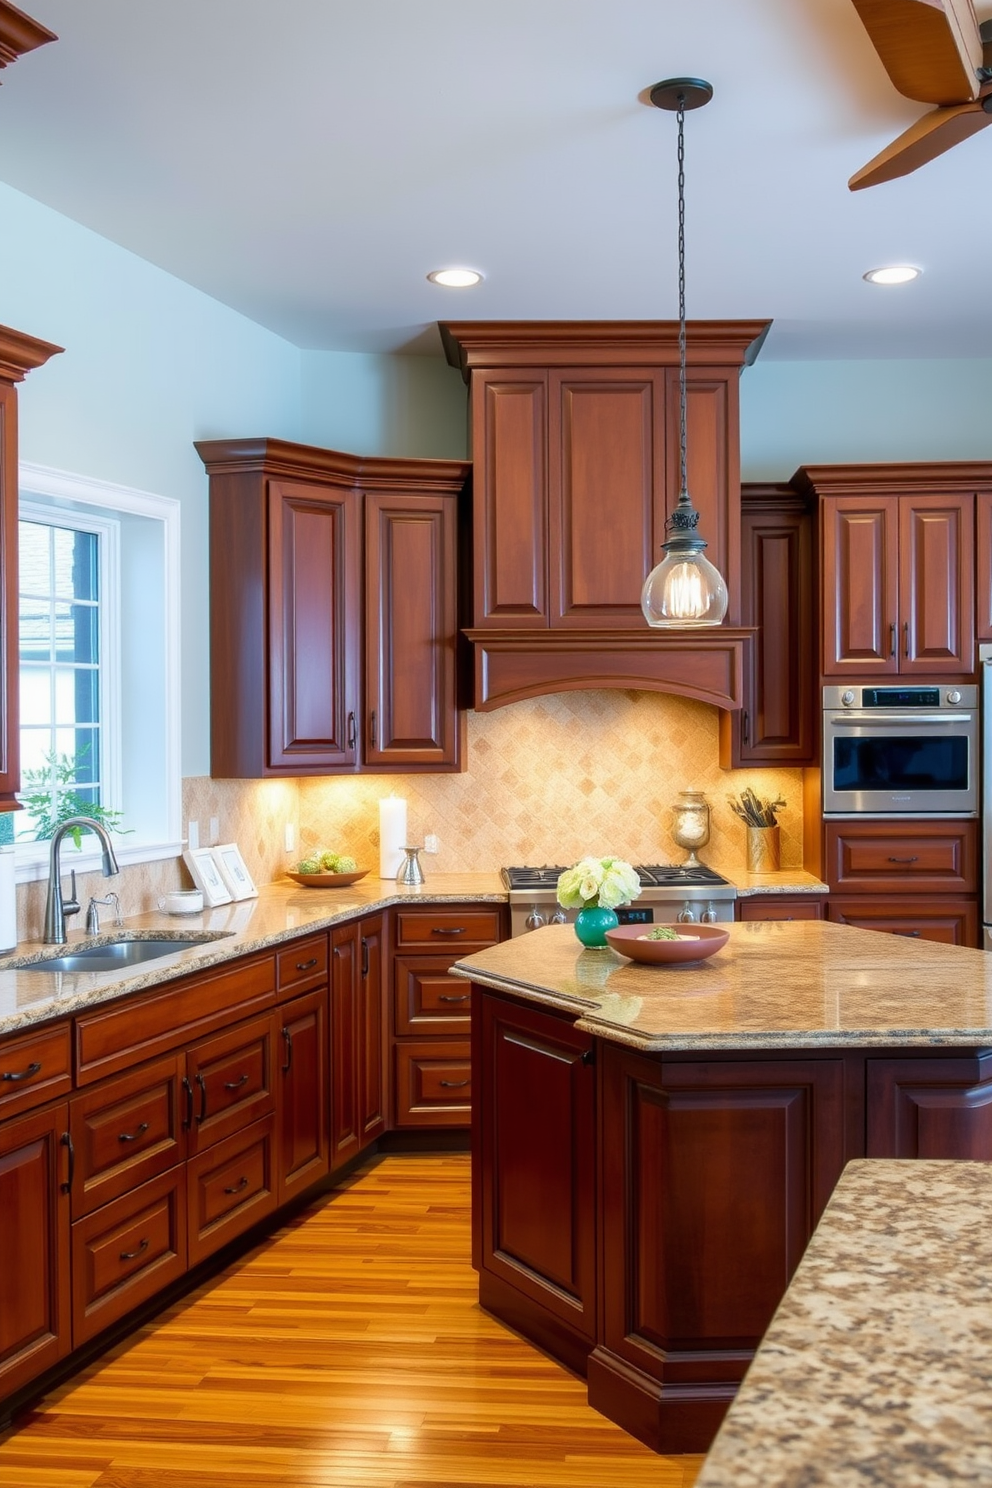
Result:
<point x="431" y="1011"/>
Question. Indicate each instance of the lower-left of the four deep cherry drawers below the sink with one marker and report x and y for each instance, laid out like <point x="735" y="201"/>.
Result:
<point x="127" y="1251"/>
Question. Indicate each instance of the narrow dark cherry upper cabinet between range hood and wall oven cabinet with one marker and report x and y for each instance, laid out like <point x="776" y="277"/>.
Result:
<point x="779" y="721"/>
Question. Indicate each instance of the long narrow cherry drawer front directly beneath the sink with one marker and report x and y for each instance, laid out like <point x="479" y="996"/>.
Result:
<point x="138" y="1029"/>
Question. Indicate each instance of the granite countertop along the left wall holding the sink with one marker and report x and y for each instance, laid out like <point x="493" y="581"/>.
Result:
<point x="280" y="913"/>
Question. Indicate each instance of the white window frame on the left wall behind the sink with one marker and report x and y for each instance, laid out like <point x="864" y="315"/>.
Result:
<point x="62" y="486"/>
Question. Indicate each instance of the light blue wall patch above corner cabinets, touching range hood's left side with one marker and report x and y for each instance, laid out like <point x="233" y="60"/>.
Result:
<point x="381" y="405"/>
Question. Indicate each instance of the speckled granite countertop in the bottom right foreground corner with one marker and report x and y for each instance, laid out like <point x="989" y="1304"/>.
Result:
<point x="877" y="1367"/>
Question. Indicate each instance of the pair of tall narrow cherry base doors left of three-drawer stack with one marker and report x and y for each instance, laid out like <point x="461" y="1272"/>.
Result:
<point x="358" y="1042"/>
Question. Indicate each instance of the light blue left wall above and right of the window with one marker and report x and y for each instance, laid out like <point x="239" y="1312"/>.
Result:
<point x="149" y="367"/>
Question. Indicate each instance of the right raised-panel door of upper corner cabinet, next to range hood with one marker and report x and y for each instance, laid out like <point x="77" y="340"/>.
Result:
<point x="411" y="630"/>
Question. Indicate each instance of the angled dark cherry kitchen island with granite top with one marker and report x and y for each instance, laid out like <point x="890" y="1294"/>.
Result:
<point x="654" y="1147"/>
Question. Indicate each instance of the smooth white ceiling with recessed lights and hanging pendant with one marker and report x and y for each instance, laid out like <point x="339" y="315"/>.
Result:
<point x="309" y="161"/>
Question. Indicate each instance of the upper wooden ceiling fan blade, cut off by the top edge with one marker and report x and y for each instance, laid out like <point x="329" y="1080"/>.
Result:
<point x="932" y="50"/>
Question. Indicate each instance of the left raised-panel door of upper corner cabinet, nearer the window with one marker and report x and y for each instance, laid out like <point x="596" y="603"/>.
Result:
<point x="315" y="623"/>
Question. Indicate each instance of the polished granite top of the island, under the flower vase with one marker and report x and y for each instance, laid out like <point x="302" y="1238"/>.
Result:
<point x="779" y="984"/>
